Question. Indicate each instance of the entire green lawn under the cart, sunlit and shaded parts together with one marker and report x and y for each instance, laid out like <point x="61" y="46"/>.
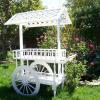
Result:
<point x="7" y="92"/>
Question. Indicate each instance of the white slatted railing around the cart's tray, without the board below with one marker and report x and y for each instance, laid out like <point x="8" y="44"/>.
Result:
<point x="39" y="53"/>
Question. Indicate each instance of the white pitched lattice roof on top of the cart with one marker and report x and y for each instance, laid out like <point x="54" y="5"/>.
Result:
<point x="38" y="18"/>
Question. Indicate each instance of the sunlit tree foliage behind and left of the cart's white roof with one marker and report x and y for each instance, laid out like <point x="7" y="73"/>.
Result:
<point x="9" y="34"/>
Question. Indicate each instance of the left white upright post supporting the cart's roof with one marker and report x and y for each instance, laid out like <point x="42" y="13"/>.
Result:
<point x="21" y="41"/>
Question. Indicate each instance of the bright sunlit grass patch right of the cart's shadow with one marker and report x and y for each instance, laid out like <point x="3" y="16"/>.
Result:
<point x="80" y="93"/>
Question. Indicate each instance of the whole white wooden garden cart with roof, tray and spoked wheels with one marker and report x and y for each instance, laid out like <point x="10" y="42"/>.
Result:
<point x="47" y="65"/>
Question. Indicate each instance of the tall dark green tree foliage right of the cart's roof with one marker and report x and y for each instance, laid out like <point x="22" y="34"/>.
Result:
<point x="86" y="14"/>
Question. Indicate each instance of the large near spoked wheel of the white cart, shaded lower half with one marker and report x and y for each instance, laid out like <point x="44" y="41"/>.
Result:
<point x="25" y="82"/>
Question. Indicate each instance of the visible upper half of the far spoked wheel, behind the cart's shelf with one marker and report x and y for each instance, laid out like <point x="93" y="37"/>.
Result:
<point x="40" y="66"/>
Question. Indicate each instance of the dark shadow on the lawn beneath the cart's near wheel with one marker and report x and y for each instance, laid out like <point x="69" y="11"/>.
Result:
<point x="7" y="93"/>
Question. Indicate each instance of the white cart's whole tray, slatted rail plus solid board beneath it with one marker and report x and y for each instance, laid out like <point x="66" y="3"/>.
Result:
<point x="48" y="55"/>
